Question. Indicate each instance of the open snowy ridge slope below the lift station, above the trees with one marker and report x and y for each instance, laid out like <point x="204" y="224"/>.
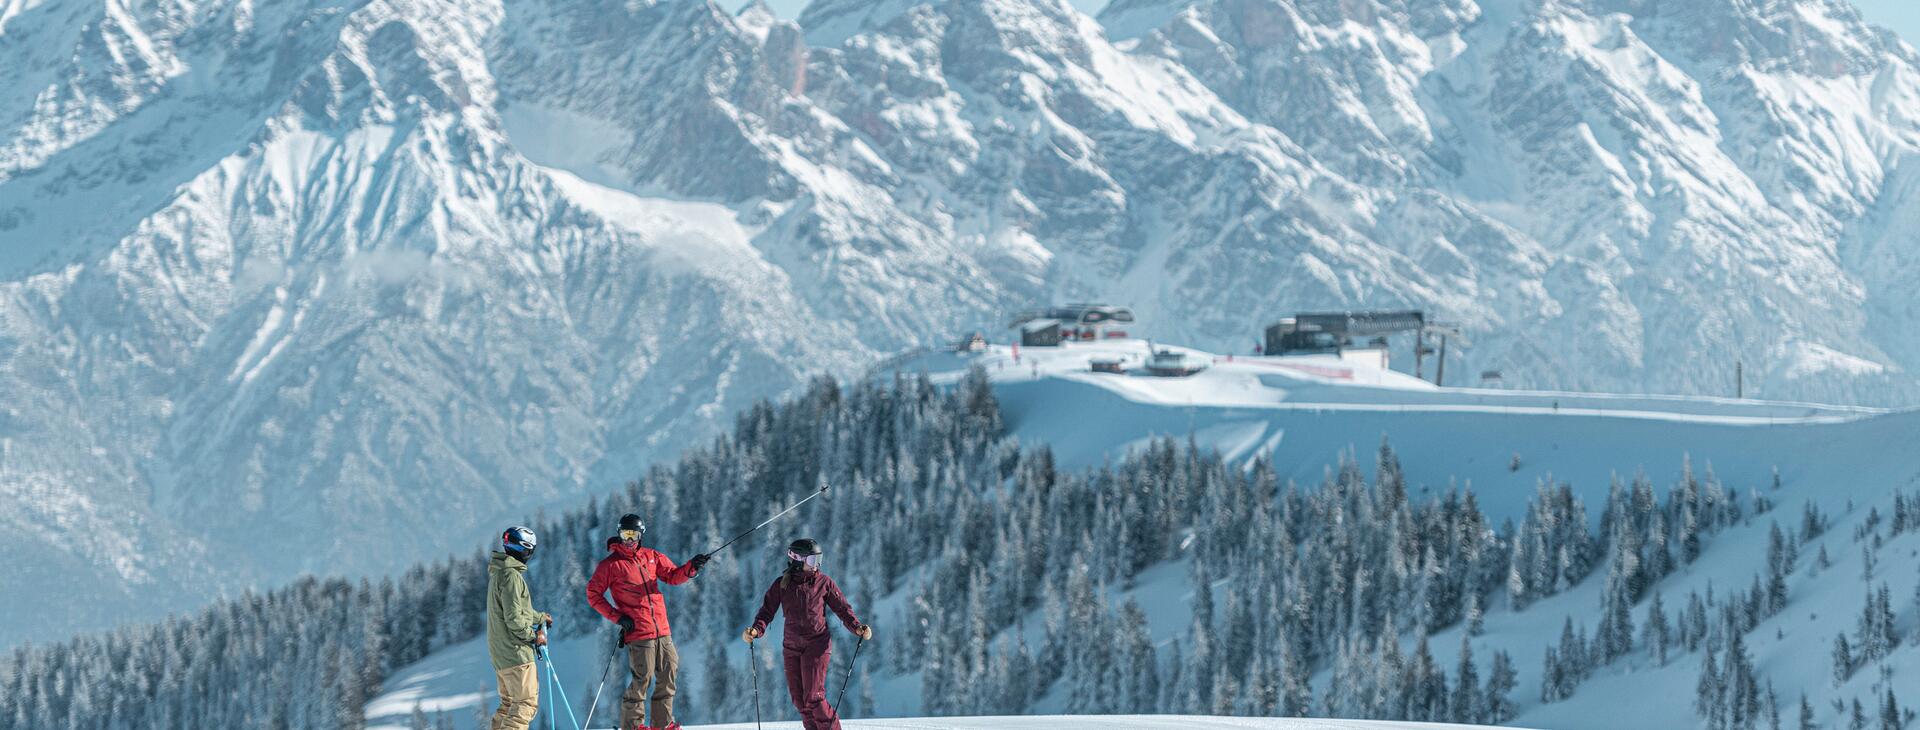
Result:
<point x="1305" y="412"/>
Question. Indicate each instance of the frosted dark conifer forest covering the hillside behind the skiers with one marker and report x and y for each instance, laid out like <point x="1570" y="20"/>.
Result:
<point x="1003" y="568"/>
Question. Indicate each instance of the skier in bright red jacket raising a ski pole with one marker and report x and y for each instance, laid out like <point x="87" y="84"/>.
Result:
<point x="635" y="575"/>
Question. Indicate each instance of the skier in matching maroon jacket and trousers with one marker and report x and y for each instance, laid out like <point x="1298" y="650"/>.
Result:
<point x="807" y="595"/>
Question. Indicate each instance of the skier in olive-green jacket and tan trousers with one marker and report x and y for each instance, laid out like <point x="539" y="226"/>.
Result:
<point x="514" y="631"/>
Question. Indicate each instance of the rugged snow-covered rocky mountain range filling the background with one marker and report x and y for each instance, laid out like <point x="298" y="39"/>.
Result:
<point x="329" y="285"/>
